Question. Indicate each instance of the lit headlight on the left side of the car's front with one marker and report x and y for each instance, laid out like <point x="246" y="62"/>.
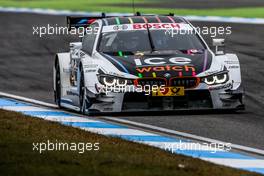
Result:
<point x="111" y="81"/>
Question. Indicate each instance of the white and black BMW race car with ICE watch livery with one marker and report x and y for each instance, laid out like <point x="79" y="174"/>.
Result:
<point x="144" y="63"/>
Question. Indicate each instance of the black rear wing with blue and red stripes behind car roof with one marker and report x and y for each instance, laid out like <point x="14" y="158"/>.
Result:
<point x="76" y="22"/>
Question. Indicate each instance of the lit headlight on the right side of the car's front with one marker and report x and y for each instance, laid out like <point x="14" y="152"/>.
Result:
<point x="216" y="79"/>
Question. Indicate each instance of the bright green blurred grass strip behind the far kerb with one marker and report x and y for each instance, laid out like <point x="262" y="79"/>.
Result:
<point x="99" y="6"/>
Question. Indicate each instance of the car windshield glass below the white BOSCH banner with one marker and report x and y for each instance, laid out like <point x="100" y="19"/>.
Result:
<point x="138" y="40"/>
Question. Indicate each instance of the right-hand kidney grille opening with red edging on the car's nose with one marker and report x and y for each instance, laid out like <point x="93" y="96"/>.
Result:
<point x="189" y="82"/>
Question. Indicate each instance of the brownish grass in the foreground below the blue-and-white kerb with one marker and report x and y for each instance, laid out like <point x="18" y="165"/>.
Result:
<point x="115" y="157"/>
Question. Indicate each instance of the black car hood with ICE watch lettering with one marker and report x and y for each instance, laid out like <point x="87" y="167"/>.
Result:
<point x="163" y="64"/>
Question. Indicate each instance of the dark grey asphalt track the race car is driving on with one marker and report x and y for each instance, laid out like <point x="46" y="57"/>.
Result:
<point x="26" y="62"/>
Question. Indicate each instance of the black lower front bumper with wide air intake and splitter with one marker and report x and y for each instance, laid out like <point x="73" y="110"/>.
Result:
<point x="201" y="98"/>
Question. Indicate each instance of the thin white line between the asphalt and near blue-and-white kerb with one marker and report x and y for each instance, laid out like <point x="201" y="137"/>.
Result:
<point x="145" y="126"/>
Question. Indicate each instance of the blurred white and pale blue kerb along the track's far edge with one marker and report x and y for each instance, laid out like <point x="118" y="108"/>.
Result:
<point x="82" y="13"/>
